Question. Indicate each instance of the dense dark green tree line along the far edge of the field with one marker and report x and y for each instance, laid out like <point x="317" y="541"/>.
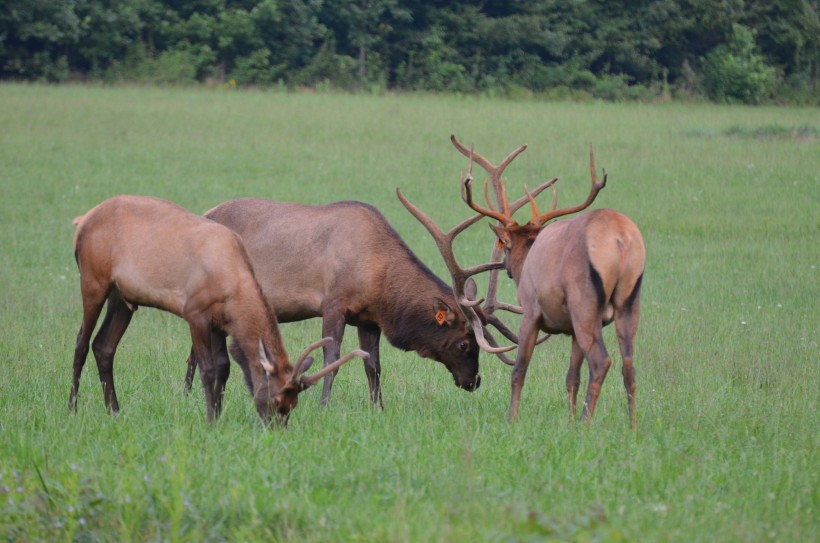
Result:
<point x="608" y="48"/>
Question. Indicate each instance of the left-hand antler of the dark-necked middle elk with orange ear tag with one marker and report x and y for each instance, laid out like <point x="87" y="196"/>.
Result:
<point x="444" y="242"/>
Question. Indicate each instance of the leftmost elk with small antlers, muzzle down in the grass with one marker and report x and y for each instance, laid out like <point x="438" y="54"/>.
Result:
<point x="136" y="251"/>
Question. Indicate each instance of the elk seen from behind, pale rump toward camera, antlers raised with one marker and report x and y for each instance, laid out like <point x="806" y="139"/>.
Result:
<point x="573" y="277"/>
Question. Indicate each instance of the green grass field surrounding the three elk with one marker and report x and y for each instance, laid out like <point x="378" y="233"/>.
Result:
<point x="726" y="356"/>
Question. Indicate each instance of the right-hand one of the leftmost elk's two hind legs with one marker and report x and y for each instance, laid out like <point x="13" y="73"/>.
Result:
<point x="117" y="318"/>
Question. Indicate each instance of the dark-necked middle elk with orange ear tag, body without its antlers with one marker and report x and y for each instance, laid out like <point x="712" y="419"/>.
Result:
<point x="345" y="263"/>
